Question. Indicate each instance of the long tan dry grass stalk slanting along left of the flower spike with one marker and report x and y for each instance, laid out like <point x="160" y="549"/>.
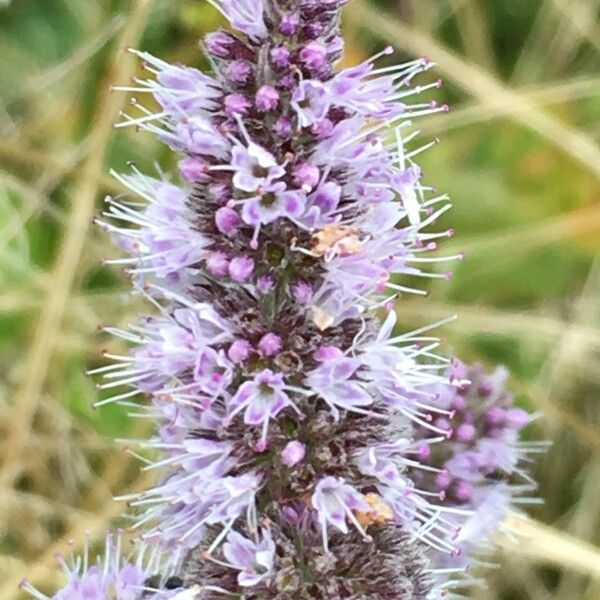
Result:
<point x="65" y="269"/>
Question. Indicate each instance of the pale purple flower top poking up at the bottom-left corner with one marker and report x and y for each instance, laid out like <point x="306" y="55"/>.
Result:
<point x="149" y="575"/>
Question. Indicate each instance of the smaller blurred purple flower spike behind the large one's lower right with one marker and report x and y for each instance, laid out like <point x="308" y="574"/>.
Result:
<point x="481" y="467"/>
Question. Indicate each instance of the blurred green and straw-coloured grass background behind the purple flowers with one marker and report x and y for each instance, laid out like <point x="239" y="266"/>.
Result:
<point x="519" y="155"/>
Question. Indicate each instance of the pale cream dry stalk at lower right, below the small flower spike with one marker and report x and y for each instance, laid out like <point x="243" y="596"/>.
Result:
<point x="544" y="544"/>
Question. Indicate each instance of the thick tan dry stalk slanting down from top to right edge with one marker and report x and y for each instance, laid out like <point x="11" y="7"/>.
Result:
<point x="483" y="86"/>
